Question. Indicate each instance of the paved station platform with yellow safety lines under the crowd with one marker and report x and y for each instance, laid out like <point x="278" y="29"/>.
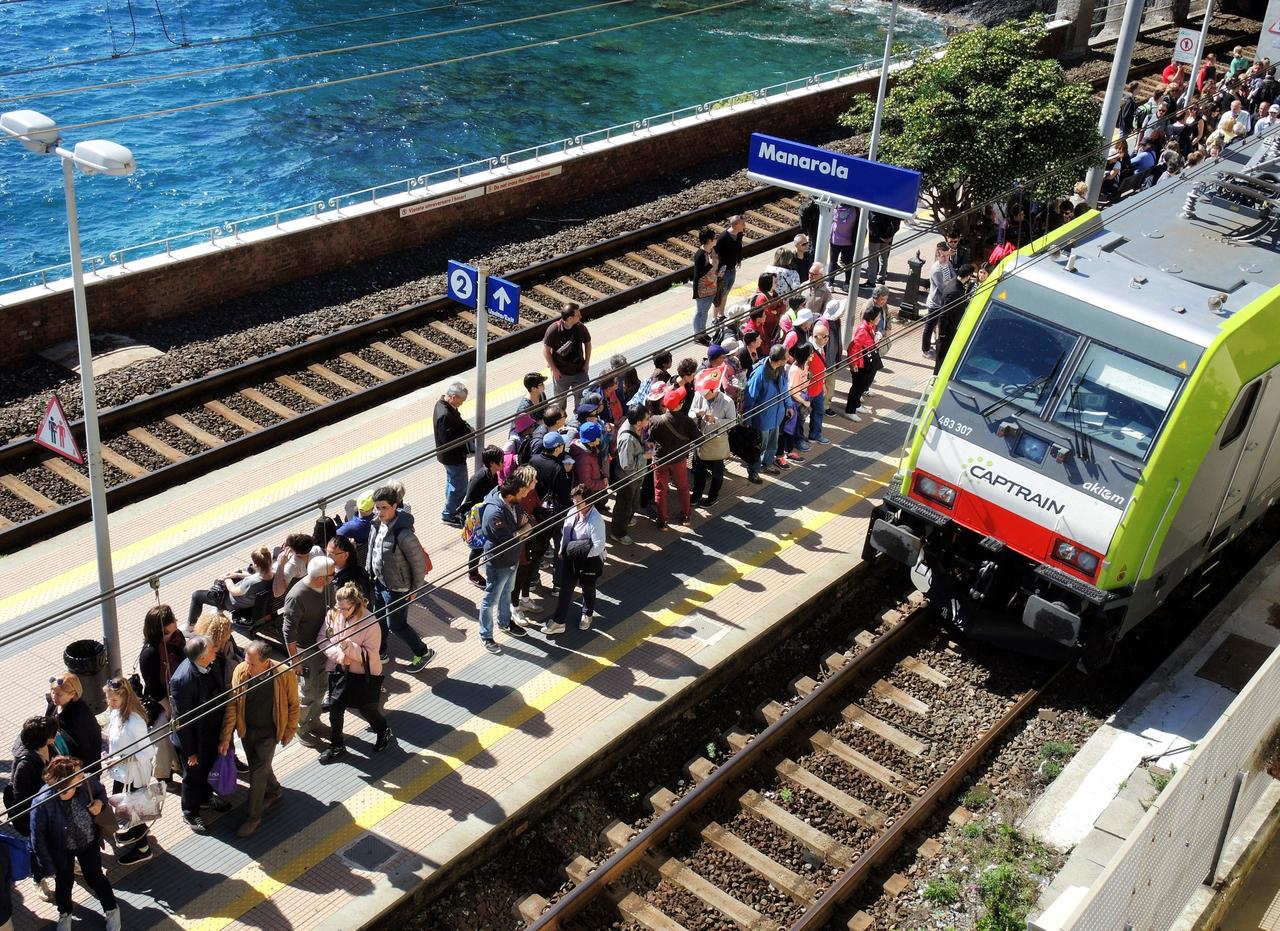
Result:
<point x="479" y="737"/>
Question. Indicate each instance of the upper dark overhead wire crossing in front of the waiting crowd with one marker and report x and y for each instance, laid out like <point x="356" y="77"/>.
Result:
<point x="257" y="531"/>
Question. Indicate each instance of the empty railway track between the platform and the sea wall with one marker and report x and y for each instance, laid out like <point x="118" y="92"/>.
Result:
<point x="171" y="437"/>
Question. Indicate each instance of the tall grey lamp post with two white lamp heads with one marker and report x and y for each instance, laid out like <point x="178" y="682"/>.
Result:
<point x="39" y="134"/>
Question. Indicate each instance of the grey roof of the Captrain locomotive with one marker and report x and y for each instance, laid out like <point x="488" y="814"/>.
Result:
<point x="1182" y="276"/>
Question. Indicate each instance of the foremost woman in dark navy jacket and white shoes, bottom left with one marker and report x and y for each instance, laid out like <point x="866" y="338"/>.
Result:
<point x="63" y="834"/>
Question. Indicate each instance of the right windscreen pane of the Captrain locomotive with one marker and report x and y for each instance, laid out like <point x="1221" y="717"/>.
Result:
<point x="1117" y="400"/>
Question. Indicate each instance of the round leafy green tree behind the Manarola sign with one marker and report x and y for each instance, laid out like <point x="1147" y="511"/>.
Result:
<point x="988" y="113"/>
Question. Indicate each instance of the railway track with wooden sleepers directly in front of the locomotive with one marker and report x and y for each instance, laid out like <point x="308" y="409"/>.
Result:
<point x="783" y="832"/>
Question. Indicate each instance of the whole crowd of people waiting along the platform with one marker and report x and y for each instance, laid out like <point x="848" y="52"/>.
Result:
<point x="584" y="460"/>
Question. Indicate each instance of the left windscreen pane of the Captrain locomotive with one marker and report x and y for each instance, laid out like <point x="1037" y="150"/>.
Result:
<point x="1016" y="357"/>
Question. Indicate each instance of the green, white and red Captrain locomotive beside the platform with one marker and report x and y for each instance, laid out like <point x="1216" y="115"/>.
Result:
<point x="1105" y="421"/>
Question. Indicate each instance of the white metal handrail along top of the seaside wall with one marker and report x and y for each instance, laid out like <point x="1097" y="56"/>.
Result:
<point x="422" y="185"/>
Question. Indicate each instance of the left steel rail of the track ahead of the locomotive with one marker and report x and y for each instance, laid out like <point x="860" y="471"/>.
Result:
<point x="612" y="870"/>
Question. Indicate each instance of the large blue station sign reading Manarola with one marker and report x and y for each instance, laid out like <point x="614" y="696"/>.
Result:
<point x="847" y="179"/>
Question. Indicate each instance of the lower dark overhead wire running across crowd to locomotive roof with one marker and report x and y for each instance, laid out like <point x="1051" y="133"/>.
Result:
<point x="314" y="651"/>
